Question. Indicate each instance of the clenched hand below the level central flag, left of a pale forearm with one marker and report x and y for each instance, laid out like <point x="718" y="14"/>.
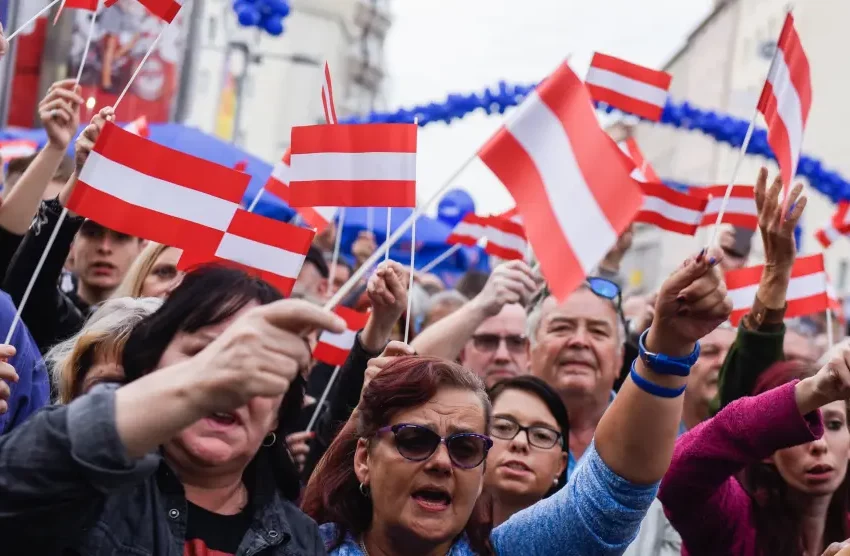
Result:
<point x="387" y="291"/>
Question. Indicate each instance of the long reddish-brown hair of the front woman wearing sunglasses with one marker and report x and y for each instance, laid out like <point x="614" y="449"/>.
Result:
<point x="333" y="492"/>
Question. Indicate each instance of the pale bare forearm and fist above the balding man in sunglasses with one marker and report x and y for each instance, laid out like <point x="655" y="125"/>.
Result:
<point x="511" y="282"/>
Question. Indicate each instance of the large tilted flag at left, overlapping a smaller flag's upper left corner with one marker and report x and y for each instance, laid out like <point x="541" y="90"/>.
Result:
<point x="132" y="185"/>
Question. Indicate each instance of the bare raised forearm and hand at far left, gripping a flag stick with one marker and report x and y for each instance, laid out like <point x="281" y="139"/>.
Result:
<point x="60" y="115"/>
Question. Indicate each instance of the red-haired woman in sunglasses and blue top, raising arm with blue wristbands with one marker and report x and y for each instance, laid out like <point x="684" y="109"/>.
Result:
<point x="404" y="474"/>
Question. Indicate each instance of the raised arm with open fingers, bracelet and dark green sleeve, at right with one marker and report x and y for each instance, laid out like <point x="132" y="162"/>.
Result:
<point x="758" y="344"/>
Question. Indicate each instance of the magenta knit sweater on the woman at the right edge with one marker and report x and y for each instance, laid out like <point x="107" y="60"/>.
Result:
<point x="701" y="496"/>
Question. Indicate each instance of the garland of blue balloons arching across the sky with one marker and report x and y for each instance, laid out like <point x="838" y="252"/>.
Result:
<point x="723" y="128"/>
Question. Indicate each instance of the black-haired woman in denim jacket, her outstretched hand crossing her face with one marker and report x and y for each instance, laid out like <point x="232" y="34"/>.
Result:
<point x="188" y="457"/>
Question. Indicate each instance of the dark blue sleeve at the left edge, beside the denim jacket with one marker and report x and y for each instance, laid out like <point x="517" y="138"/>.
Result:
<point x="32" y="391"/>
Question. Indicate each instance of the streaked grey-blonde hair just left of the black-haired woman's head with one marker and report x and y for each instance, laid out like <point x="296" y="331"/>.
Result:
<point x="103" y="336"/>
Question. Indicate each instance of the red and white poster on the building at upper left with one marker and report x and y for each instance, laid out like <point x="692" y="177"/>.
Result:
<point x="123" y="33"/>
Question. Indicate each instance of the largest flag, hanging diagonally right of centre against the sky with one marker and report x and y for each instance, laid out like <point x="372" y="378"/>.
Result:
<point x="567" y="177"/>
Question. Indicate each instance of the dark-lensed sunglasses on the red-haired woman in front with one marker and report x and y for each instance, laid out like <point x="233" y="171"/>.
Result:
<point x="417" y="443"/>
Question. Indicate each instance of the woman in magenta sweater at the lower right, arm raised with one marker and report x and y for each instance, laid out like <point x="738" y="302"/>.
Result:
<point x="792" y="497"/>
